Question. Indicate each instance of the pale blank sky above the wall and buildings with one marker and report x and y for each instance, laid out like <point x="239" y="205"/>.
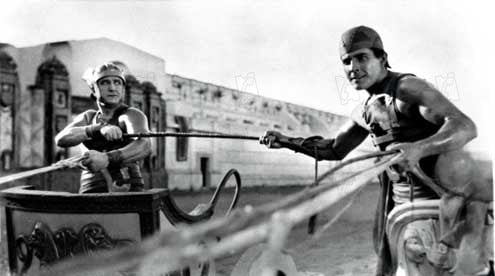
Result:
<point x="286" y="50"/>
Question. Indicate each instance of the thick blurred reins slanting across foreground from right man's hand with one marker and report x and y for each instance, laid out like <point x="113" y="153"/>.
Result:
<point x="243" y="228"/>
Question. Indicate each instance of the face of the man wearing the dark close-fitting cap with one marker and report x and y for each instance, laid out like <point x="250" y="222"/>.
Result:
<point x="363" y="68"/>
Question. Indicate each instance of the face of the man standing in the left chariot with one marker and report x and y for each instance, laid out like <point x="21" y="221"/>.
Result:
<point x="109" y="90"/>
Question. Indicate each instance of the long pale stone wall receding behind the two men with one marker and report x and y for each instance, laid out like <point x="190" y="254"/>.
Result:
<point x="211" y="108"/>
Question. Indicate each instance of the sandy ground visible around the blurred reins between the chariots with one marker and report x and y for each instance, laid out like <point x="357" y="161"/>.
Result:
<point x="344" y="249"/>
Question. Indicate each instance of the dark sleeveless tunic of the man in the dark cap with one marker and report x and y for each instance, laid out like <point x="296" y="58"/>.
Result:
<point x="387" y="125"/>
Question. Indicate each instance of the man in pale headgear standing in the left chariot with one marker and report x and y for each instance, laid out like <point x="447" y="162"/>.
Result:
<point x="101" y="133"/>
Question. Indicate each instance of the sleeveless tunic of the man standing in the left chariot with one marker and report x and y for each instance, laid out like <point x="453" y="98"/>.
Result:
<point x="129" y="173"/>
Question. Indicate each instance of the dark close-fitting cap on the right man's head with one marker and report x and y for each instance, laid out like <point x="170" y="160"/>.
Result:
<point x="358" y="38"/>
